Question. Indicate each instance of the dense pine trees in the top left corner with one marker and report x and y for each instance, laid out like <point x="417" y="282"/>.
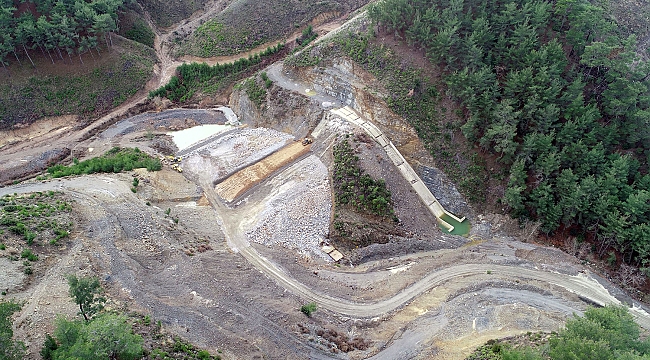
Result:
<point x="58" y="29"/>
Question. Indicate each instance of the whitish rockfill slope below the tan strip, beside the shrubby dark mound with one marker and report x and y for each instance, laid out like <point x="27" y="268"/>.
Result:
<point x="298" y="216"/>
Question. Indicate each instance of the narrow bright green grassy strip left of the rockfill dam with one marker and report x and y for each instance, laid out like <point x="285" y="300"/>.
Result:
<point x="115" y="160"/>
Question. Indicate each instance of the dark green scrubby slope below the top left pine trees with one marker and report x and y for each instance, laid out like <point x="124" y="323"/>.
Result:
<point x="87" y="90"/>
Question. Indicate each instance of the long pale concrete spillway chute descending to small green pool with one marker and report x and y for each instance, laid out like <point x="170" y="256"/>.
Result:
<point x="407" y="171"/>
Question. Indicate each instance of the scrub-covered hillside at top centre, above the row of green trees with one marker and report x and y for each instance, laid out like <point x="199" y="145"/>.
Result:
<point x="246" y="24"/>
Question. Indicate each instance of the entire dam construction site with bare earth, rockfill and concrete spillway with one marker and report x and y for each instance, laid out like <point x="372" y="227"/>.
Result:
<point x="235" y="234"/>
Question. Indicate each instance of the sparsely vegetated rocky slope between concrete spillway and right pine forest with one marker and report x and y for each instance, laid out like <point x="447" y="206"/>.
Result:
<point x="411" y="90"/>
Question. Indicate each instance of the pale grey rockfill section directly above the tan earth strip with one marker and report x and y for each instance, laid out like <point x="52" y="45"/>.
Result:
<point x="233" y="151"/>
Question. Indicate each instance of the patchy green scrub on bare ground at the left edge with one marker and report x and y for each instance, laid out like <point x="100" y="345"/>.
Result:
<point x="42" y="217"/>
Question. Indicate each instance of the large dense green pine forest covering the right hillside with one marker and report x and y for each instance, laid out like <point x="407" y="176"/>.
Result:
<point x="558" y="92"/>
